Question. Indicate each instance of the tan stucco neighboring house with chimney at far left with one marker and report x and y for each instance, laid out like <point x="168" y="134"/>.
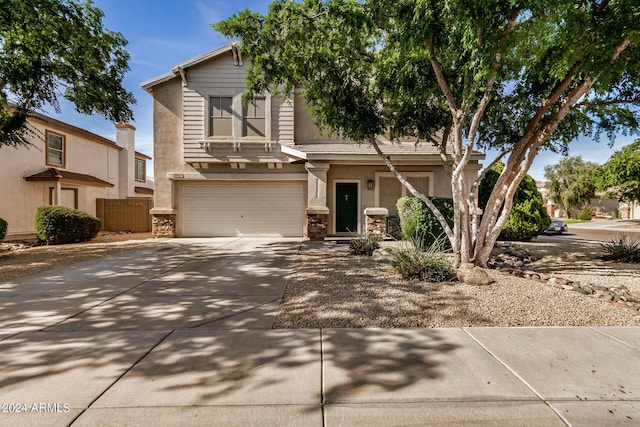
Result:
<point x="68" y="166"/>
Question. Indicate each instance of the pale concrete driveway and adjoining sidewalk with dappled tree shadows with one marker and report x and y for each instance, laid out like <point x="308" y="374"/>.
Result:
<point x="179" y="334"/>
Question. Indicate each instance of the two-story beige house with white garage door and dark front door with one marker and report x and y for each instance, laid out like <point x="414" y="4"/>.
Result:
<point x="222" y="169"/>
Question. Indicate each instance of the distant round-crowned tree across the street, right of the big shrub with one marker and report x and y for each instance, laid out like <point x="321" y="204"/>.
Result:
<point x="571" y="183"/>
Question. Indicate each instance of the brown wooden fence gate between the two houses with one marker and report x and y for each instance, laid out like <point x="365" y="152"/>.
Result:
<point x="125" y="214"/>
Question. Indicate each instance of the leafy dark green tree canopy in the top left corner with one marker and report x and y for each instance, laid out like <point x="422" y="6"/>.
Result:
<point x="50" y="48"/>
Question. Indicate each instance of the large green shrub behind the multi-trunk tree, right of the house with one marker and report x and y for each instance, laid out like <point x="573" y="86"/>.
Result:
<point x="528" y="217"/>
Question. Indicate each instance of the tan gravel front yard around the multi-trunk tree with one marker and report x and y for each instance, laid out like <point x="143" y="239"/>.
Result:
<point x="331" y="289"/>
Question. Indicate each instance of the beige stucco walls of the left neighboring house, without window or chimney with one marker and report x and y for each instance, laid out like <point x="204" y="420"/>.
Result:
<point x="21" y="198"/>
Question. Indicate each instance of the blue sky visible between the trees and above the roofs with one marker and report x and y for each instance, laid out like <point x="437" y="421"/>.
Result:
<point x="163" y="33"/>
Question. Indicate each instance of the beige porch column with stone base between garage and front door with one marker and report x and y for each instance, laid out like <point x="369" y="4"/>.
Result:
<point x="317" y="210"/>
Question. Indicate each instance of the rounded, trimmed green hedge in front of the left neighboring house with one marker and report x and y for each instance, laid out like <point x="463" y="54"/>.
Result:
<point x="58" y="225"/>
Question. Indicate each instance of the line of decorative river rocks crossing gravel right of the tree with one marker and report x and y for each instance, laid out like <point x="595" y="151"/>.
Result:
<point x="512" y="260"/>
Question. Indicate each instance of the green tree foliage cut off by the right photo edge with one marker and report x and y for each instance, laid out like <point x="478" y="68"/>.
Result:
<point x="620" y="175"/>
